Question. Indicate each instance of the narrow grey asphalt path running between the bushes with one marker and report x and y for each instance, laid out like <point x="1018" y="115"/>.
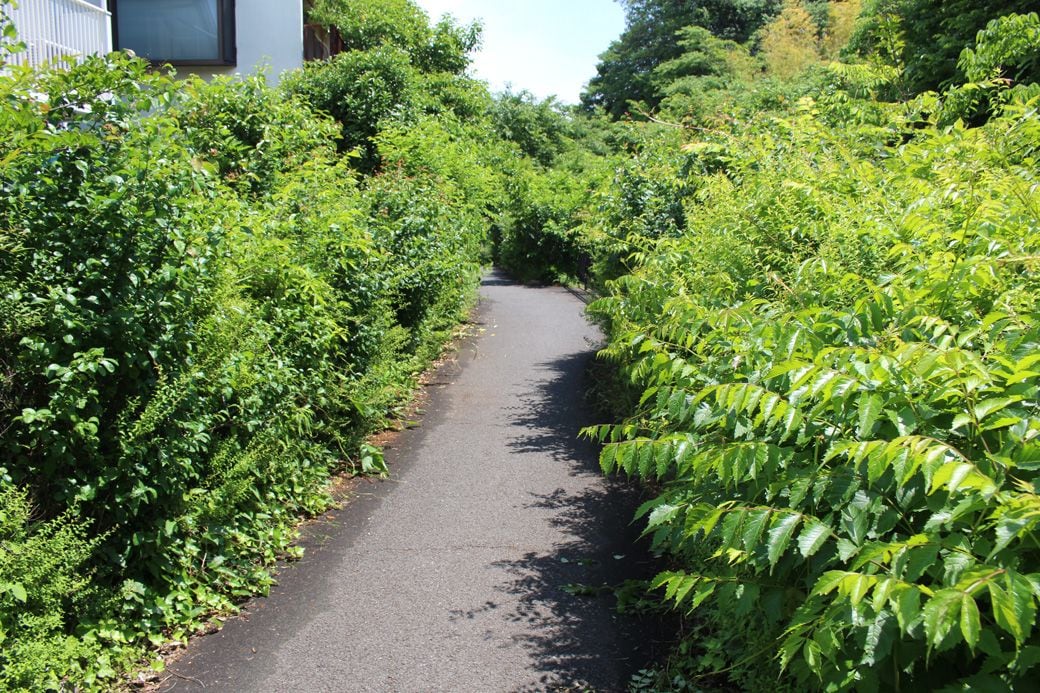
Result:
<point x="463" y="573"/>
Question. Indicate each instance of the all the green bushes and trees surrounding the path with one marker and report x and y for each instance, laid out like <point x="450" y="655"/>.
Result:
<point x="819" y="284"/>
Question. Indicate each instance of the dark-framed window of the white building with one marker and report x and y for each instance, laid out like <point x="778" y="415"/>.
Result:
<point x="177" y="32"/>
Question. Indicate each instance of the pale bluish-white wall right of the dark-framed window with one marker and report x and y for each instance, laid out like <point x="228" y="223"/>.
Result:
<point x="269" y="33"/>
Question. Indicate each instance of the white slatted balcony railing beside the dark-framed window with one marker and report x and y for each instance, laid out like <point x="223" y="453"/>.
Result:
<point x="55" y="29"/>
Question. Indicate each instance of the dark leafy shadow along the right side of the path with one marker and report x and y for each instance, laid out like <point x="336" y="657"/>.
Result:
<point x="563" y="595"/>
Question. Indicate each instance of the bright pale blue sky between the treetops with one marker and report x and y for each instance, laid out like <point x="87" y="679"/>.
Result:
<point x="548" y="47"/>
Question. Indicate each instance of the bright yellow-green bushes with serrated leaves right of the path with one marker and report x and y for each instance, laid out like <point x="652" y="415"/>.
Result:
<point x="830" y="314"/>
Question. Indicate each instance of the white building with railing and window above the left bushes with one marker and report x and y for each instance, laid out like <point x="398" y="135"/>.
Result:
<point x="197" y="37"/>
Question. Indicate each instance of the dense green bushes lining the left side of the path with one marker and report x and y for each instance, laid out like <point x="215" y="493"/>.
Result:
<point x="204" y="311"/>
